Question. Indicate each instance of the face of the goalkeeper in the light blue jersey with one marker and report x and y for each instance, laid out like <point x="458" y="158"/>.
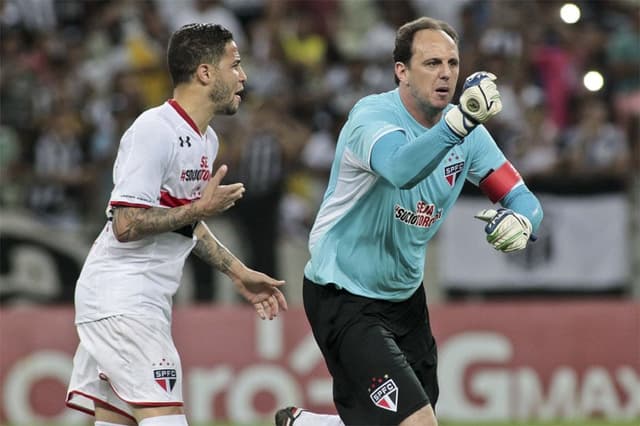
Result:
<point x="432" y="74"/>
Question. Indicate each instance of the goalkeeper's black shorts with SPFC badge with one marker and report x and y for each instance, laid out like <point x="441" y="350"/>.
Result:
<point x="381" y="355"/>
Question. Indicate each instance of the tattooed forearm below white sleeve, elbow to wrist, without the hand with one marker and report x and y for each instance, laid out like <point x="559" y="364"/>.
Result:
<point x="135" y="223"/>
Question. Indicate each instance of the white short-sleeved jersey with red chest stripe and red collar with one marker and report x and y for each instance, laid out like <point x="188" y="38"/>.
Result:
<point x="163" y="161"/>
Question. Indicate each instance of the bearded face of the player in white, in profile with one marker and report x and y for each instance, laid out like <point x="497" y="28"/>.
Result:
<point x="229" y="82"/>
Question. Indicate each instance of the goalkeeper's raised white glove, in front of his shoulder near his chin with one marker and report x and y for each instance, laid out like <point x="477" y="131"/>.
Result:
<point x="480" y="100"/>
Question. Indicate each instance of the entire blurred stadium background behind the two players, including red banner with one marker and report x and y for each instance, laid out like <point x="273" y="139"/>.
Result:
<point x="550" y="333"/>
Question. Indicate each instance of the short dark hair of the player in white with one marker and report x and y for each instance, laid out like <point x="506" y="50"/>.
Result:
<point x="195" y="44"/>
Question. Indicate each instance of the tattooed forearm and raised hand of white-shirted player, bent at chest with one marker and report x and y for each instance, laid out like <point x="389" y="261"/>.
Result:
<point x="134" y="223"/>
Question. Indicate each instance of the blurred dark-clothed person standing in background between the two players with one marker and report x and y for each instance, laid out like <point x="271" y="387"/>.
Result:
<point x="262" y="157"/>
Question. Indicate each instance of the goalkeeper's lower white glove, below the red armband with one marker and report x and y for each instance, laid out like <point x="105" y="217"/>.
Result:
<point x="506" y="230"/>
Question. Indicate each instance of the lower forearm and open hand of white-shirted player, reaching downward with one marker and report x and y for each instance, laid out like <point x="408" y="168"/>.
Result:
<point x="257" y="288"/>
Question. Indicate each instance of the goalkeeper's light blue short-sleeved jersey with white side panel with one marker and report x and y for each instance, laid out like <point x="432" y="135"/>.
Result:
<point x="370" y="237"/>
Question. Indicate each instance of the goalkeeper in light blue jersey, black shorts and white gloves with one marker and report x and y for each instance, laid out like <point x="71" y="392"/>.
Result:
<point x="400" y="164"/>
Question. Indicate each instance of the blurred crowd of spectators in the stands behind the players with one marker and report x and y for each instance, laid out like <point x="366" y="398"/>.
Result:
<point x="74" y="74"/>
